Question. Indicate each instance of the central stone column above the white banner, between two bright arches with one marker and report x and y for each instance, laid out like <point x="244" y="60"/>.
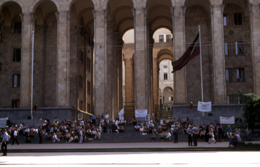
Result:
<point x="140" y="59"/>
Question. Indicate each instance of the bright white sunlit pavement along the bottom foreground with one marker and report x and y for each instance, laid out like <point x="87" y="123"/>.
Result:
<point x="207" y="159"/>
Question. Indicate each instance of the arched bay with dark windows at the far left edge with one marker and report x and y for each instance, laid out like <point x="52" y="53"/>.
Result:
<point x="10" y="54"/>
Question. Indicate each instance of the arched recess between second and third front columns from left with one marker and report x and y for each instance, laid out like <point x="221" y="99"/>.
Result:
<point x="81" y="55"/>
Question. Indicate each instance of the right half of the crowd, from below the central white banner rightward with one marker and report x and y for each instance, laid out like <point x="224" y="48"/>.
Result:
<point x="167" y="129"/>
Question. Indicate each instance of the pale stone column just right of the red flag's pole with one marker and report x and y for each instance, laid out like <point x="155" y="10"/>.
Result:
<point x="218" y="58"/>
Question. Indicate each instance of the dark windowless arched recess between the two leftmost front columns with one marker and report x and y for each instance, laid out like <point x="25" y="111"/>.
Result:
<point x="45" y="54"/>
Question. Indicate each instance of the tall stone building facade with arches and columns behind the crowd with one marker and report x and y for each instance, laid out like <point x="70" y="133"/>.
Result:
<point x="78" y="52"/>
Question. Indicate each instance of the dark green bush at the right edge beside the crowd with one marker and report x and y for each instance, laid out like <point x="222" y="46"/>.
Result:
<point x="251" y="109"/>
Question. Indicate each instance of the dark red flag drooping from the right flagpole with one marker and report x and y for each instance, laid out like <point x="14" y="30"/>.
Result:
<point x="190" y="53"/>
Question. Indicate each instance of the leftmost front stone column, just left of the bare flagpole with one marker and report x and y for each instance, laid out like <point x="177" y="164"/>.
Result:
<point x="26" y="42"/>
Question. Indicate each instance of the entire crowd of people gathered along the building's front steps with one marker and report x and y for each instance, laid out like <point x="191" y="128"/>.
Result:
<point x="91" y="129"/>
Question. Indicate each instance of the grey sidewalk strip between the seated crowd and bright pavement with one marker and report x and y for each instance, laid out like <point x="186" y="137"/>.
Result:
<point x="129" y="147"/>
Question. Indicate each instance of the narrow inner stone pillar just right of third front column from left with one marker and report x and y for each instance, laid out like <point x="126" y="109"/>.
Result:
<point x="109" y="70"/>
